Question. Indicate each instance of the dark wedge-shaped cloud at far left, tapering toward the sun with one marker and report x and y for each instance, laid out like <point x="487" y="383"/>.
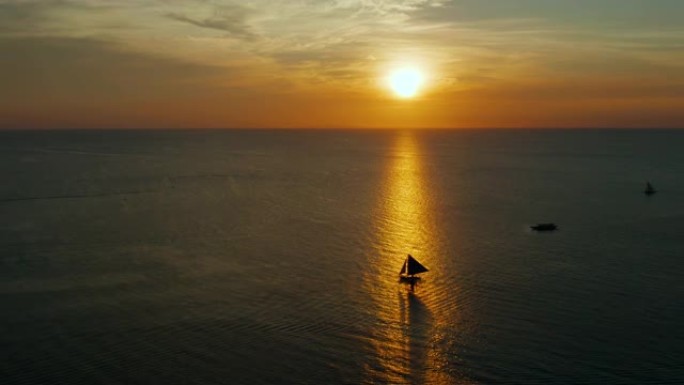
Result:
<point x="52" y="69"/>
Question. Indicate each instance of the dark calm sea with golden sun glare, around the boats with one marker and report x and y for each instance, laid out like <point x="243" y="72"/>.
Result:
<point x="272" y="257"/>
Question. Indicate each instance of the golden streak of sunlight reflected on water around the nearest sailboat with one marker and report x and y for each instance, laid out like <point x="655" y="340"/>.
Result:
<point x="404" y="336"/>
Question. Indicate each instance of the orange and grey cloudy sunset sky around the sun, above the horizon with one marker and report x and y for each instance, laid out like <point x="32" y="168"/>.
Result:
<point x="325" y="63"/>
